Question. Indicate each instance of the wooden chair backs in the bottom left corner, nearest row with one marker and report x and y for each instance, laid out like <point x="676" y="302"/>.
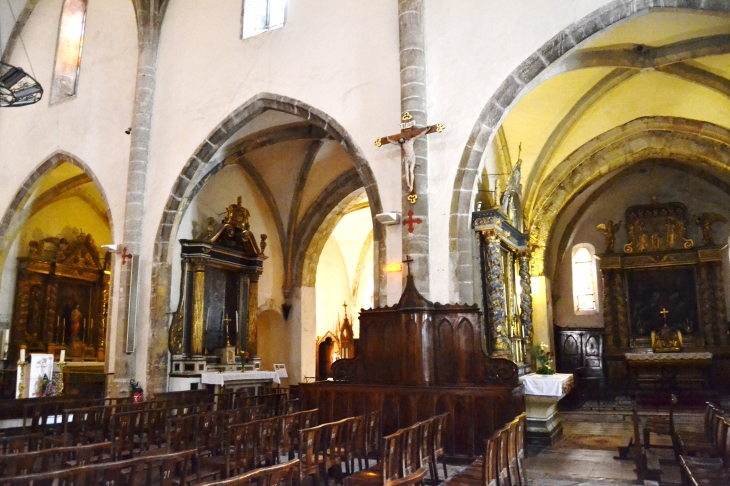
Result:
<point x="161" y="470"/>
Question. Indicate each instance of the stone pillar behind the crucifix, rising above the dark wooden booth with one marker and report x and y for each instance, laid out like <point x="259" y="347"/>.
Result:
<point x="413" y="100"/>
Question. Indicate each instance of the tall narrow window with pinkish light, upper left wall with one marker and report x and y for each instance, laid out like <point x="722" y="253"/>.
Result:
<point x="68" y="50"/>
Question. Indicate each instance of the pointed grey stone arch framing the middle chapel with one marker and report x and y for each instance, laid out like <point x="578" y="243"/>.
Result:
<point x="205" y="161"/>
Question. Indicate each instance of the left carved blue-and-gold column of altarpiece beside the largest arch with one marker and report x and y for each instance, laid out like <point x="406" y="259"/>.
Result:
<point x="496" y="296"/>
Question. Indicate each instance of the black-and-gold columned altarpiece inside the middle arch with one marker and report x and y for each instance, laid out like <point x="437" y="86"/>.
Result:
<point x="217" y="312"/>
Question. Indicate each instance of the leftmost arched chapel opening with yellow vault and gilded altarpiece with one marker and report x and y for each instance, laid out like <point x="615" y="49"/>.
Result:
<point x="56" y="277"/>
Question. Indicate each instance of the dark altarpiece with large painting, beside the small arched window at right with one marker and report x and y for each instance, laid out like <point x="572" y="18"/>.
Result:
<point x="662" y="280"/>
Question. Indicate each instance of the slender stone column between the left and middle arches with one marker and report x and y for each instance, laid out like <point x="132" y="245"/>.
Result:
<point x="149" y="15"/>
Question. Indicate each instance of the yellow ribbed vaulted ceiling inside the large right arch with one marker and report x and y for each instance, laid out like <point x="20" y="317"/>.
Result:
<point x="657" y="64"/>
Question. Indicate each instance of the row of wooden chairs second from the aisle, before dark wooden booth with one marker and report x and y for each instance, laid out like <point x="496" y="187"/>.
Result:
<point x="408" y="453"/>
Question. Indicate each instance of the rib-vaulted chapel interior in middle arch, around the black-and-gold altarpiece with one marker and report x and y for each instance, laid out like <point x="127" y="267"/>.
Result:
<point x="297" y="177"/>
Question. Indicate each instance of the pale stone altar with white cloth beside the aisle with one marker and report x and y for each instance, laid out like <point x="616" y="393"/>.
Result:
<point x="542" y="394"/>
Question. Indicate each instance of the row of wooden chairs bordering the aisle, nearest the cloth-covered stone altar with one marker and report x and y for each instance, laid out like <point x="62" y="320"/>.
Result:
<point x="503" y="461"/>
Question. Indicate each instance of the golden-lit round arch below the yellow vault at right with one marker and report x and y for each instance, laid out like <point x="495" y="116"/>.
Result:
<point x="692" y="142"/>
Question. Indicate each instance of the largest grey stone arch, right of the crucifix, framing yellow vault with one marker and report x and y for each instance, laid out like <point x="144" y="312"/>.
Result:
<point x="497" y="107"/>
